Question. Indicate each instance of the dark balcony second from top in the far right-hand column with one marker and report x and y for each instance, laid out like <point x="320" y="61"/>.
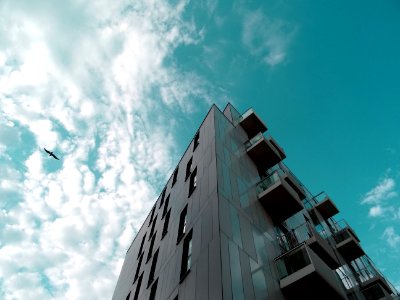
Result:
<point x="347" y="242"/>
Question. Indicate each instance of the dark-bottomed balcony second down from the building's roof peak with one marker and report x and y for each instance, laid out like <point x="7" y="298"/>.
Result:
<point x="264" y="151"/>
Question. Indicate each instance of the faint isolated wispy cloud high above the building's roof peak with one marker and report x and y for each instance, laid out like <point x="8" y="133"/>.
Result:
<point x="267" y="38"/>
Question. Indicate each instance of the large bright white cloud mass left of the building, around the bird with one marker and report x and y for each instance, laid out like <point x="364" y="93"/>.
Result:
<point x="92" y="82"/>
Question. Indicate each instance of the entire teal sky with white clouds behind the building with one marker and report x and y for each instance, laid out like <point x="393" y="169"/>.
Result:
<point x="117" y="89"/>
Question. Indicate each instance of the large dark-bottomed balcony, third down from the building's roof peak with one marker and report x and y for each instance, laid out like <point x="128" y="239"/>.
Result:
<point x="277" y="195"/>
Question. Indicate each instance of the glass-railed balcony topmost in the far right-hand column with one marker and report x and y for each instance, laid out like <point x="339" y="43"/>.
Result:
<point x="322" y="207"/>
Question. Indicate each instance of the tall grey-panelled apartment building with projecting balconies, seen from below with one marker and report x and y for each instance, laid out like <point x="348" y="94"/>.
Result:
<point x="233" y="222"/>
